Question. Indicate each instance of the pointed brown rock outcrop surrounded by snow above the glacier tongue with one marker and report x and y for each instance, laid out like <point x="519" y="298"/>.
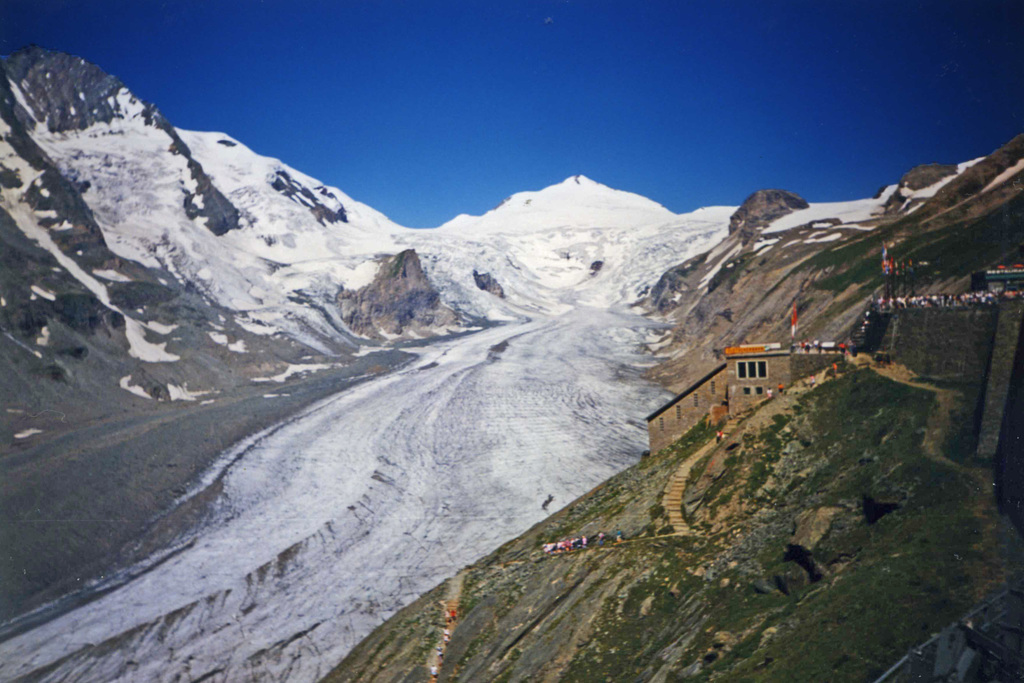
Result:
<point x="401" y="300"/>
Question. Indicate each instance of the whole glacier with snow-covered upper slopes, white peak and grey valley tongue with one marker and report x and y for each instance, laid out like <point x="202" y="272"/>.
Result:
<point x="333" y="521"/>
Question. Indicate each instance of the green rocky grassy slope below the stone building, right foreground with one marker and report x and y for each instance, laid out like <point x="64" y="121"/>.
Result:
<point x="678" y="605"/>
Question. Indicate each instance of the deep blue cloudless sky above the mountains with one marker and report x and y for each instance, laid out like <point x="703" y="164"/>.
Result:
<point x="428" y="110"/>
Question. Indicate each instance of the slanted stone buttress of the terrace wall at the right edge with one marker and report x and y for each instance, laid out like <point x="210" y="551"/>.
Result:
<point x="1008" y="330"/>
